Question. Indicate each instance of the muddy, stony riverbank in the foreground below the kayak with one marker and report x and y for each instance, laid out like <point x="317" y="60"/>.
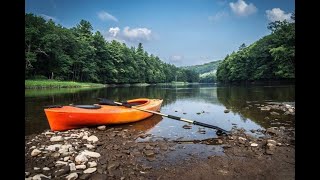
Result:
<point x="126" y="153"/>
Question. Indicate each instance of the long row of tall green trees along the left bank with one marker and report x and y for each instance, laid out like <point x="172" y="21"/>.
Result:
<point x="78" y="54"/>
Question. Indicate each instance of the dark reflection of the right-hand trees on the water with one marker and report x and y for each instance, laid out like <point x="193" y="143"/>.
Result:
<point x="244" y="100"/>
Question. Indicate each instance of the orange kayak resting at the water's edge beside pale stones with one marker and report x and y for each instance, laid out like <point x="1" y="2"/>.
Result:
<point x="77" y="116"/>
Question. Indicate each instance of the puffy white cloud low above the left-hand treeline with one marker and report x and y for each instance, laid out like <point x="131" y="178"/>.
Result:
<point x="129" y="35"/>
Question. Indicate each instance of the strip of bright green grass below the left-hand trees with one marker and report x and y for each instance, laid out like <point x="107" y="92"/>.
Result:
<point x="37" y="84"/>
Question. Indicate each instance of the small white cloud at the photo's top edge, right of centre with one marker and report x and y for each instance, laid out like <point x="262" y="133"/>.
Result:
<point x="241" y="8"/>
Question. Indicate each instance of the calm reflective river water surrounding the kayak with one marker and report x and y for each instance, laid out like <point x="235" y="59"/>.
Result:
<point x="204" y="103"/>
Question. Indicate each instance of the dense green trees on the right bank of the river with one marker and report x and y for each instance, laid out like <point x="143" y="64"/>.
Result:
<point x="270" y="58"/>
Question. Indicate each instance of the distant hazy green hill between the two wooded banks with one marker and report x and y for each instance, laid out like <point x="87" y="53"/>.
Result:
<point x="207" y="71"/>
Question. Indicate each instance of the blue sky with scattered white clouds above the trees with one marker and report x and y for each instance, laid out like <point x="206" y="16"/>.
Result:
<point x="180" y="32"/>
